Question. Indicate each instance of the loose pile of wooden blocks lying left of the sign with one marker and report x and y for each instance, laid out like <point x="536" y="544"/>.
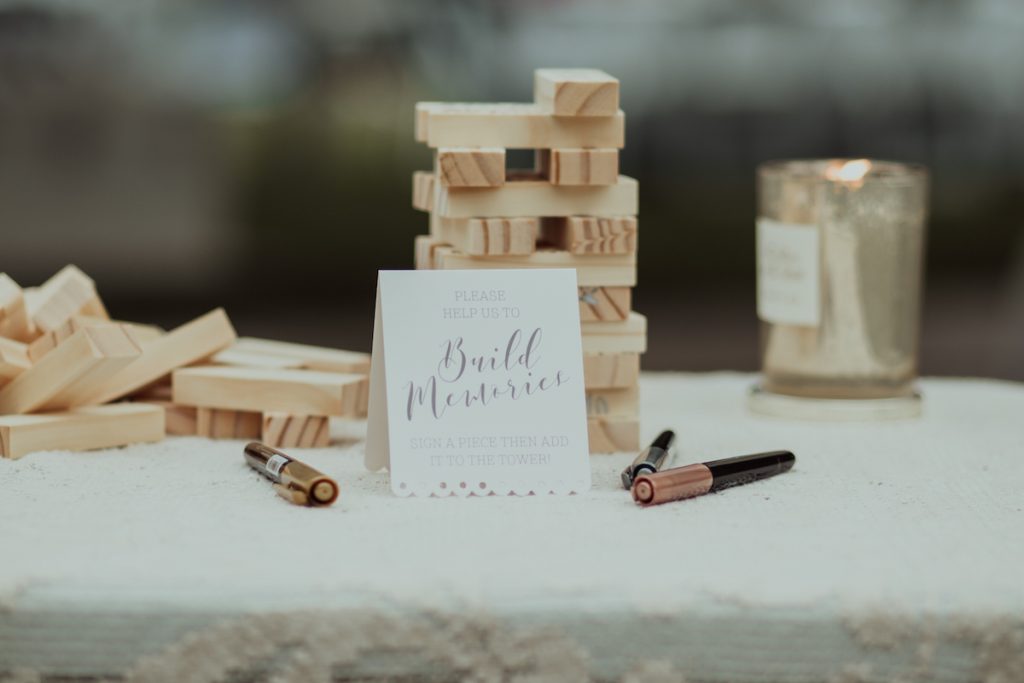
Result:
<point x="64" y="363"/>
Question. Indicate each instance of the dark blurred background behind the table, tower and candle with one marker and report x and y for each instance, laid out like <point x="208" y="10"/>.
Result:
<point x="259" y="155"/>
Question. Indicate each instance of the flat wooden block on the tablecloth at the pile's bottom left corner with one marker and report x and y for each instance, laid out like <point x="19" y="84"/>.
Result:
<point x="81" y="430"/>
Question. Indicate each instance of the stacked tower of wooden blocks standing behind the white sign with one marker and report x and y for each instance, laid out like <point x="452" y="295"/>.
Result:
<point x="572" y="210"/>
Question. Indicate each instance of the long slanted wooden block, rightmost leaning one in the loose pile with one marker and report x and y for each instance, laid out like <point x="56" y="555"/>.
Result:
<point x="185" y="346"/>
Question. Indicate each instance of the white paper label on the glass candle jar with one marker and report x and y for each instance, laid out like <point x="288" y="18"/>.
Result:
<point x="789" y="274"/>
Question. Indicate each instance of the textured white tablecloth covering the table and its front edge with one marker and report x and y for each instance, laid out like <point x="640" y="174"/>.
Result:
<point x="892" y="552"/>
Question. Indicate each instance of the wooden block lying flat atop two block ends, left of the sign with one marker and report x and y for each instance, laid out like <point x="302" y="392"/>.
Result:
<point x="301" y="392"/>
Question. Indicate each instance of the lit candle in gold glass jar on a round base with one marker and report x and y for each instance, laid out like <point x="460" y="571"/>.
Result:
<point x="840" y="248"/>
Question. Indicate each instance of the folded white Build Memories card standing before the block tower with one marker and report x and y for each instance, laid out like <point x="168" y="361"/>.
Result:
<point x="477" y="383"/>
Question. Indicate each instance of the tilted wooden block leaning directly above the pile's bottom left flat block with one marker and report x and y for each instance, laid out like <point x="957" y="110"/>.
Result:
<point x="68" y="376"/>
